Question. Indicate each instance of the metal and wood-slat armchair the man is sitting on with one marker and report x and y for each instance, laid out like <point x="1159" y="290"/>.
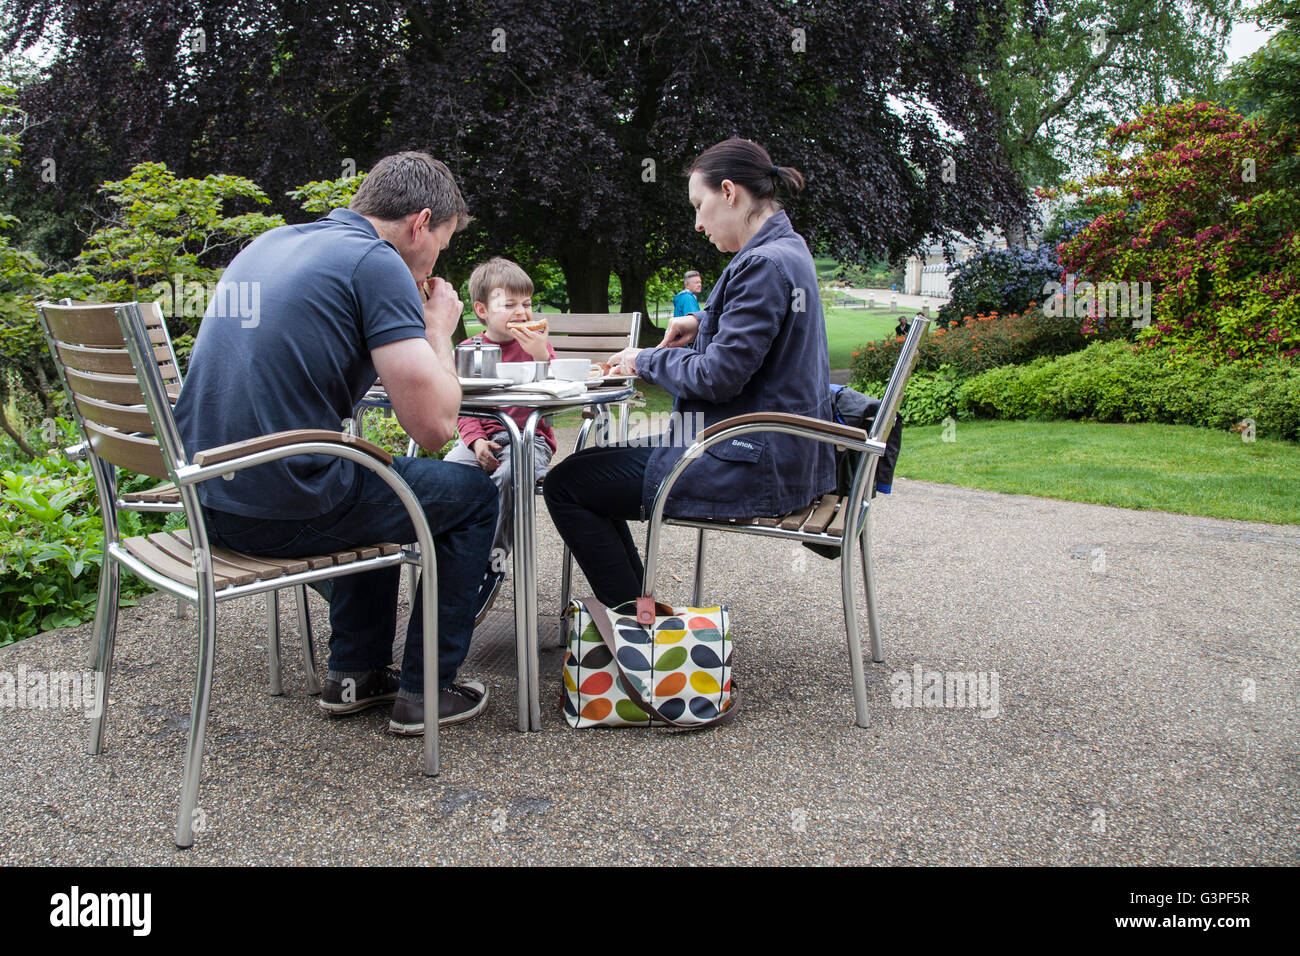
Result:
<point x="110" y="369"/>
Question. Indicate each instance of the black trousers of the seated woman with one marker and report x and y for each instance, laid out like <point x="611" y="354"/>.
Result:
<point x="592" y="496"/>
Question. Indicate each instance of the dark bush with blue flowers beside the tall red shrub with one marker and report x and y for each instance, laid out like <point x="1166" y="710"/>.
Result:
<point x="999" y="282"/>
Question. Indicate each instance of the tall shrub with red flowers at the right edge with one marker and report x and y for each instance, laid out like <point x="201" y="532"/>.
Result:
<point x="1190" y="206"/>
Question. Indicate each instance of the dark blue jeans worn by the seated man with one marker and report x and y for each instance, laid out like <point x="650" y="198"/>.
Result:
<point x="461" y="507"/>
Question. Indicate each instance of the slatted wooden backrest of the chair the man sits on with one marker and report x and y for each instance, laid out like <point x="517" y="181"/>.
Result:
<point x="112" y="367"/>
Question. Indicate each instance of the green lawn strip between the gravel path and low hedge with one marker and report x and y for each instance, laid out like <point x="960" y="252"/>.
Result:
<point x="1194" y="471"/>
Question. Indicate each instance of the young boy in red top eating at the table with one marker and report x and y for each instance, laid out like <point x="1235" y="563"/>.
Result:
<point x="504" y="293"/>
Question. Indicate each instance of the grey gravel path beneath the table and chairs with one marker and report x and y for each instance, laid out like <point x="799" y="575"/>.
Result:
<point x="1145" y="713"/>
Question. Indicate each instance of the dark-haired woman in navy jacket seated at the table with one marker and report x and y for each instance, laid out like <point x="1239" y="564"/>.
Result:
<point x="757" y="345"/>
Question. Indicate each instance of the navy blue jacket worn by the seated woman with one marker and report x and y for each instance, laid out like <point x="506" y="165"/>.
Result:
<point x="761" y="348"/>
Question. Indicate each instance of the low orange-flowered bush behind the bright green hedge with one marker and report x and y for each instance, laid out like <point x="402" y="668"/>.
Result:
<point x="986" y="341"/>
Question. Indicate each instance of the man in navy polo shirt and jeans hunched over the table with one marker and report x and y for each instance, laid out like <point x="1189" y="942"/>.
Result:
<point x="340" y="302"/>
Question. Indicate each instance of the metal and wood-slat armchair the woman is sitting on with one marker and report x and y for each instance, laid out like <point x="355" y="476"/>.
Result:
<point x="831" y="521"/>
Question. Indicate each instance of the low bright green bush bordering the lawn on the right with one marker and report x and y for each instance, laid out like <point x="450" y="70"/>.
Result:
<point x="1117" y="382"/>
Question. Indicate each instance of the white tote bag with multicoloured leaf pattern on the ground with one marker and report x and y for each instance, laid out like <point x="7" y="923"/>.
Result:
<point x="648" y="665"/>
